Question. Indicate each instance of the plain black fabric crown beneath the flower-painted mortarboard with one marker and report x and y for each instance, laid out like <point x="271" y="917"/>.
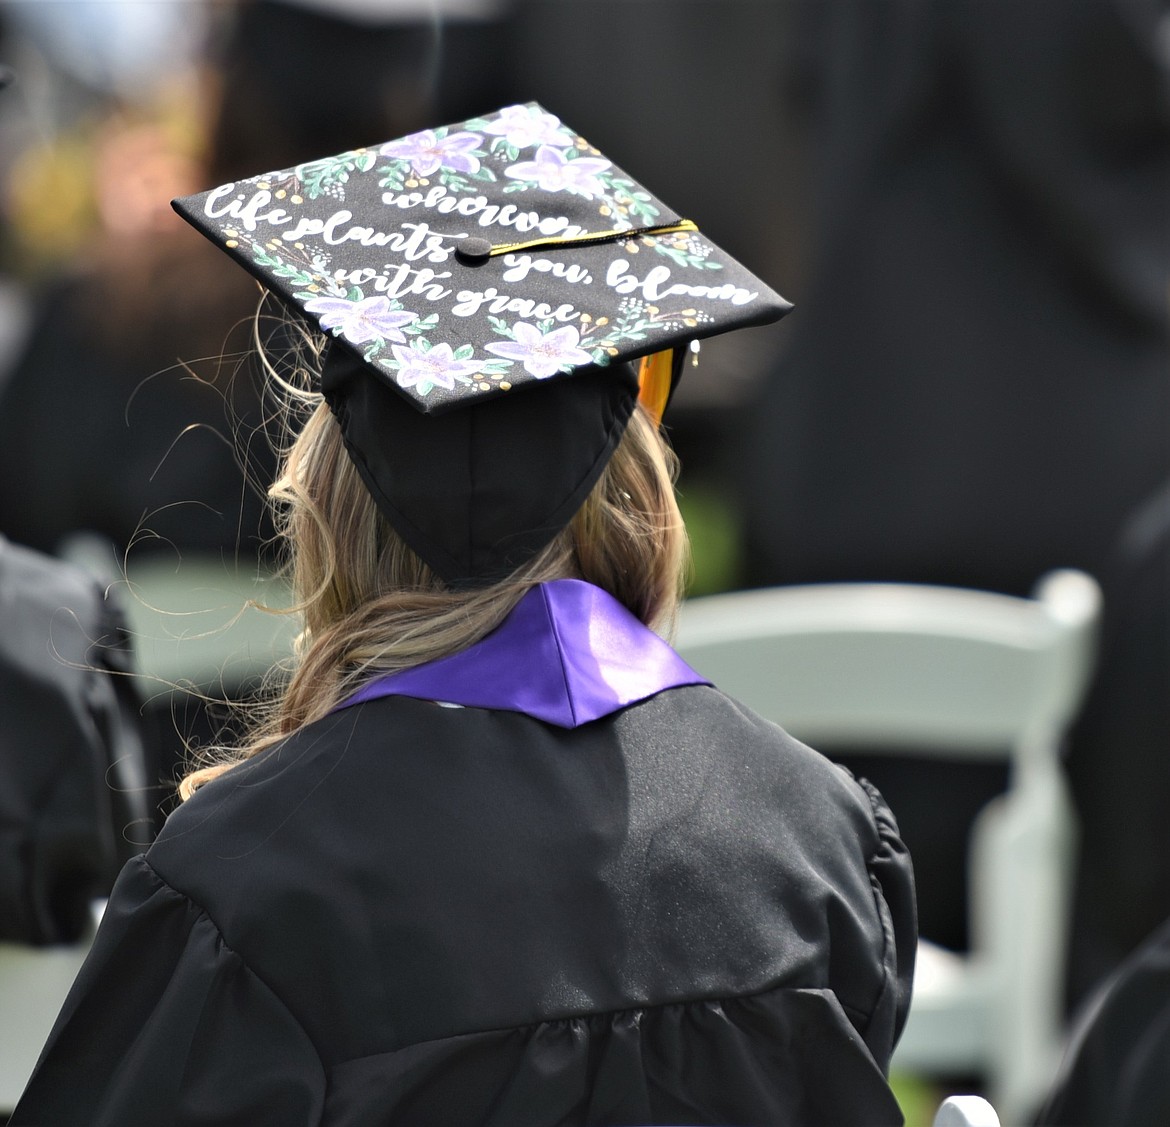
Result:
<point x="479" y="492"/>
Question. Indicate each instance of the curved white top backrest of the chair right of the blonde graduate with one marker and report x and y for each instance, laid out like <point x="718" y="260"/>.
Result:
<point x="903" y="666"/>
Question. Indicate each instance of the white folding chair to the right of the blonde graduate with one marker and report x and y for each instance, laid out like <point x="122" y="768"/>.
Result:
<point x="951" y="674"/>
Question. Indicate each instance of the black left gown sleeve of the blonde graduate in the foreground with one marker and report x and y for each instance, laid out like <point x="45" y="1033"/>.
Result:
<point x="168" y="1027"/>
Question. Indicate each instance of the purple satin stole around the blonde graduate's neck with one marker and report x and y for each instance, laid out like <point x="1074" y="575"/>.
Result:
<point x="568" y="654"/>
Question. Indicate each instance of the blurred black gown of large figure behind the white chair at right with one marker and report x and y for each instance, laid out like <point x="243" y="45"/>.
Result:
<point x="975" y="384"/>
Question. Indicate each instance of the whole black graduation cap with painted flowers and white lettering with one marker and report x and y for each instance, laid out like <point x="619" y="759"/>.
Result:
<point x="487" y="286"/>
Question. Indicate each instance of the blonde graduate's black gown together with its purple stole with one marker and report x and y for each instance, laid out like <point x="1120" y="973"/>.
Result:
<point x="553" y="879"/>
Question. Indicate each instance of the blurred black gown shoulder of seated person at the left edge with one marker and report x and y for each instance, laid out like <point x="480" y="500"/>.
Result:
<point x="75" y="775"/>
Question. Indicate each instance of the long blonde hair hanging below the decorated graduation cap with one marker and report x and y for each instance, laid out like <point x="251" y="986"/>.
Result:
<point x="370" y="606"/>
